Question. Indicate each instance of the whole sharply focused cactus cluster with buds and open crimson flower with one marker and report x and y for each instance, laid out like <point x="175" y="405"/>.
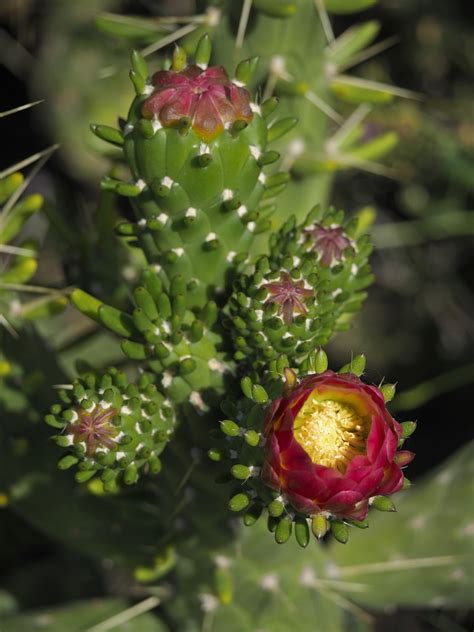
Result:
<point x="196" y="144"/>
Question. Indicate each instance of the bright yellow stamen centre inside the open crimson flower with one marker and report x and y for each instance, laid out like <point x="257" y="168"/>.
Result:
<point x="332" y="433"/>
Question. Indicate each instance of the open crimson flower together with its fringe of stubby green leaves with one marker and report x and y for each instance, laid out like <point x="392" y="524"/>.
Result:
<point x="328" y="449"/>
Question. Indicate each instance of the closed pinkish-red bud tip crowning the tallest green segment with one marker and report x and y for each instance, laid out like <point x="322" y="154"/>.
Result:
<point x="208" y="98"/>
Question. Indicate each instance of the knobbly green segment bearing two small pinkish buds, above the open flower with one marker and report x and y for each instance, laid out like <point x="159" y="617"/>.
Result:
<point x="304" y="291"/>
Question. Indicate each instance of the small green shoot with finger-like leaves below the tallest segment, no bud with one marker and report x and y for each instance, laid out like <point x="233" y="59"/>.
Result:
<point x="175" y="343"/>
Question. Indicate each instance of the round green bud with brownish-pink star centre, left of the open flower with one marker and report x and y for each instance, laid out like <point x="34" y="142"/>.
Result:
<point x="111" y="427"/>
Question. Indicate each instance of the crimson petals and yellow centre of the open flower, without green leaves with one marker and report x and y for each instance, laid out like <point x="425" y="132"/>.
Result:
<point x="332" y="445"/>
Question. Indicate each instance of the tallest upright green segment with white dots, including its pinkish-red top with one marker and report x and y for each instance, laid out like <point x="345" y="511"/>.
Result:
<point x="196" y="148"/>
